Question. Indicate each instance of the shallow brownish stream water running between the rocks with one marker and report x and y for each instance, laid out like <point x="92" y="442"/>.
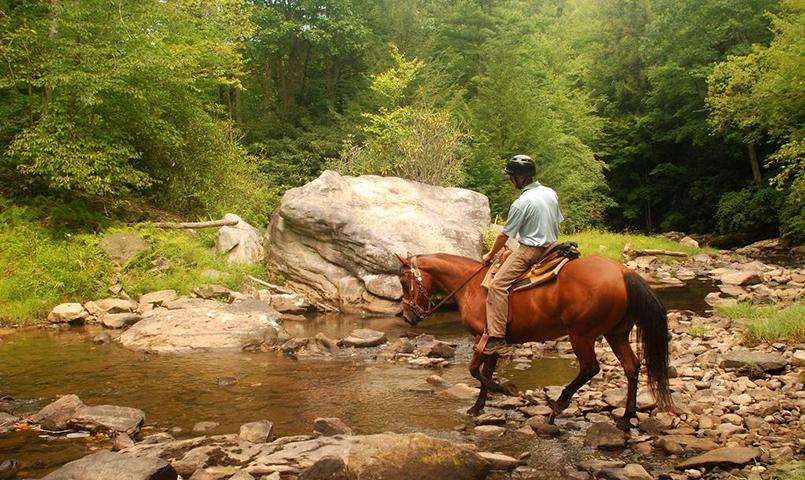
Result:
<point x="178" y="391"/>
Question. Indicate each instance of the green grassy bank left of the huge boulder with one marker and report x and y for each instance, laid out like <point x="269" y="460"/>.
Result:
<point x="45" y="261"/>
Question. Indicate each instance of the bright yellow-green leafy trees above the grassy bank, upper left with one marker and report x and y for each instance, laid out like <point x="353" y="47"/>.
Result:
<point x="112" y="100"/>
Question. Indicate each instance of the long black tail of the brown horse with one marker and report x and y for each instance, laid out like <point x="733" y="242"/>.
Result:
<point x="652" y="333"/>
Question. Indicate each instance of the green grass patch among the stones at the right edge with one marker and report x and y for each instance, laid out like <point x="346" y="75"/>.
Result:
<point x="768" y="323"/>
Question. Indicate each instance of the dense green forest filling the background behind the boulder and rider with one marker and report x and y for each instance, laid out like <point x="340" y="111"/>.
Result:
<point x="649" y="115"/>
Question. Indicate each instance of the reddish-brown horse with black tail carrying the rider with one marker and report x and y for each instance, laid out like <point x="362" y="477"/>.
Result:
<point x="592" y="296"/>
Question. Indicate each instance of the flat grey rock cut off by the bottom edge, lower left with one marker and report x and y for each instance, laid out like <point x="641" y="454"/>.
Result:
<point x="106" y="465"/>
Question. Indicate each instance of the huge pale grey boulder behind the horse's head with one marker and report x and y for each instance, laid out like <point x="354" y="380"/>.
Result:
<point x="335" y="238"/>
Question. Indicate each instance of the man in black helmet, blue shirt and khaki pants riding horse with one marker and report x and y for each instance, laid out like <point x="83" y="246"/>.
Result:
<point x="534" y="218"/>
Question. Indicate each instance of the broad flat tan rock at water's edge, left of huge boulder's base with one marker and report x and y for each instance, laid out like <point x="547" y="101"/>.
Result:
<point x="202" y="329"/>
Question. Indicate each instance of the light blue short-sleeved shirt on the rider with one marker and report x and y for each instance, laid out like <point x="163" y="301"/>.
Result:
<point x="535" y="216"/>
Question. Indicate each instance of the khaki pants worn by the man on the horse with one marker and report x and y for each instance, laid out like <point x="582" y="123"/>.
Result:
<point x="497" y="296"/>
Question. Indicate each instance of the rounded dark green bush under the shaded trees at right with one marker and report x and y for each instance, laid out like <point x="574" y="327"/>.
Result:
<point x="754" y="211"/>
